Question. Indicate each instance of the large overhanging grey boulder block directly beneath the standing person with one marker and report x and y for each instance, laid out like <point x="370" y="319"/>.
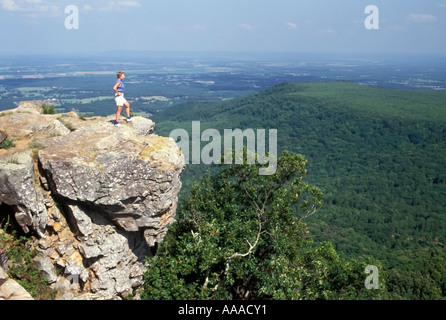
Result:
<point x="131" y="179"/>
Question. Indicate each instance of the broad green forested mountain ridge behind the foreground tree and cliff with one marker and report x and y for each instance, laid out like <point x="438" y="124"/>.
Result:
<point x="378" y="156"/>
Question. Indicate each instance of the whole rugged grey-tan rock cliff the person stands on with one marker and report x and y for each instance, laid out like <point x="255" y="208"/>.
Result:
<point x="96" y="197"/>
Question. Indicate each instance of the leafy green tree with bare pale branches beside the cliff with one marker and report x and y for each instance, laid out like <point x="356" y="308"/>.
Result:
<point x="241" y="235"/>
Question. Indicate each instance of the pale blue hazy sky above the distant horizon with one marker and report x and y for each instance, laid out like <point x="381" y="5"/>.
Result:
<point x="322" y="26"/>
